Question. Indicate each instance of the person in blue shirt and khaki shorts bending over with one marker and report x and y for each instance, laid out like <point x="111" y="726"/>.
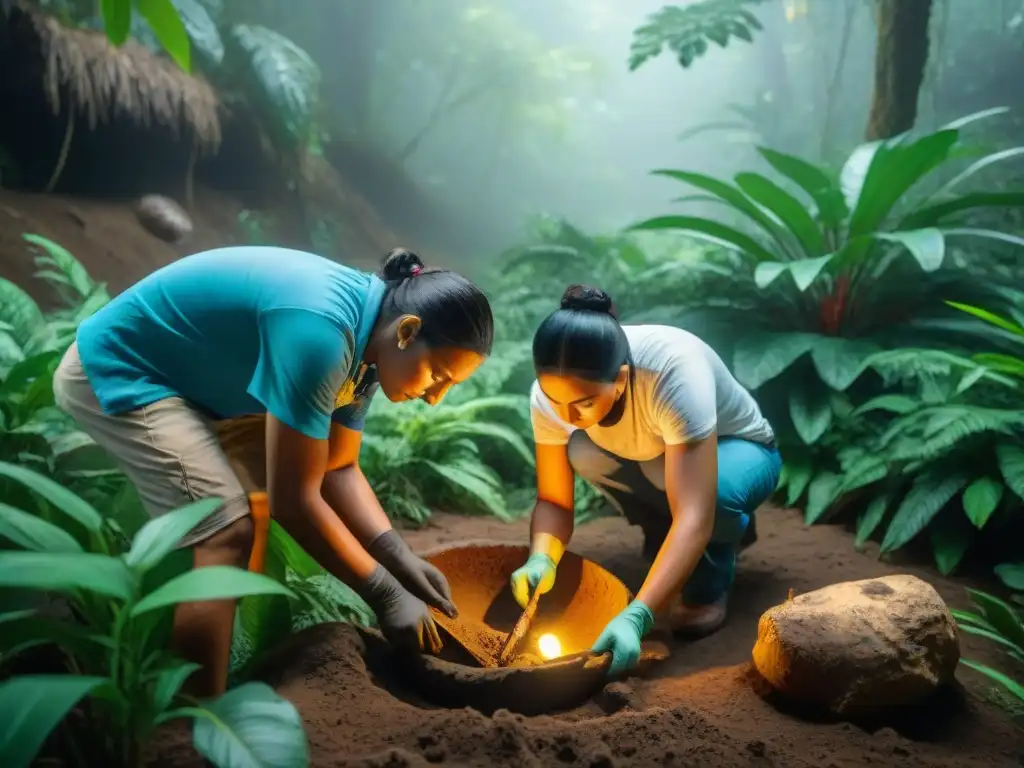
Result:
<point x="304" y="344"/>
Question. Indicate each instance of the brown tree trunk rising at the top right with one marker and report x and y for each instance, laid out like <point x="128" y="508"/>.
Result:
<point x="901" y="57"/>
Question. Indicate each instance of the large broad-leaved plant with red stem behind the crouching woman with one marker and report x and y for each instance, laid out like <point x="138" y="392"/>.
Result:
<point x="817" y="282"/>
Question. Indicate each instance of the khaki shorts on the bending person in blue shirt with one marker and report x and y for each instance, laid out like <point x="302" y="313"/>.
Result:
<point x="173" y="454"/>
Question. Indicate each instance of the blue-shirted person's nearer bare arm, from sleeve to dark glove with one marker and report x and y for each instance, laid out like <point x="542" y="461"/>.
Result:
<point x="296" y="466"/>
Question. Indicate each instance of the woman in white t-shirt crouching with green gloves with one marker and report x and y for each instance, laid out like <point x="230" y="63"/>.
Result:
<point x="653" y="417"/>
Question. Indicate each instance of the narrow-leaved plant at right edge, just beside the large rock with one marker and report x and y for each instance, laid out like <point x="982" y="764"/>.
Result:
<point x="1000" y="622"/>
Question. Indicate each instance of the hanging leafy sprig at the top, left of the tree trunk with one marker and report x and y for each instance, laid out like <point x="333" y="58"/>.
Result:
<point x="687" y="31"/>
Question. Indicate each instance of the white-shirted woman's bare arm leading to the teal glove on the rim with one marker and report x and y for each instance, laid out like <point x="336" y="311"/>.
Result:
<point x="692" y="482"/>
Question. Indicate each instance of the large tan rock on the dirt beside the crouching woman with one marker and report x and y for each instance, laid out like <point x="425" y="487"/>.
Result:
<point x="860" y="648"/>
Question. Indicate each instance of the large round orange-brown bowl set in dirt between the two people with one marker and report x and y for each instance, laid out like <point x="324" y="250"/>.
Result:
<point x="585" y="599"/>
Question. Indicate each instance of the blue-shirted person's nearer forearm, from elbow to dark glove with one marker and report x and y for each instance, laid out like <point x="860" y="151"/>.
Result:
<point x="322" y="534"/>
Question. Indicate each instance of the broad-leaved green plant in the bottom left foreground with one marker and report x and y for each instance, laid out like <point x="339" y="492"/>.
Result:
<point x="122" y="684"/>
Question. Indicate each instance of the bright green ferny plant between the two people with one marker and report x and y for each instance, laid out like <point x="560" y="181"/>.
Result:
<point x="417" y="457"/>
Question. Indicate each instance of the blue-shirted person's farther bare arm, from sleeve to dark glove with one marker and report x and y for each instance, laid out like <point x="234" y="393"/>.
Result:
<point x="349" y="492"/>
